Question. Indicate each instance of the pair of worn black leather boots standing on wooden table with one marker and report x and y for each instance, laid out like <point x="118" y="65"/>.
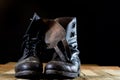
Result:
<point x="44" y="36"/>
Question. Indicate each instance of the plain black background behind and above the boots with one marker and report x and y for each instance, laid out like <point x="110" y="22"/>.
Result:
<point x="98" y="27"/>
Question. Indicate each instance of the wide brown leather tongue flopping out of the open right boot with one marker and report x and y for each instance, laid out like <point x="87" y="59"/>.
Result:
<point x="54" y="34"/>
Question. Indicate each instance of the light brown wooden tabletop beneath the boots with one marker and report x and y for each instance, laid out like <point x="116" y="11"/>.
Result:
<point x="88" y="72"/>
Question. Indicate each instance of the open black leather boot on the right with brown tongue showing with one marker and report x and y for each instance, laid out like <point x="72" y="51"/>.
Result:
<point x="65" y="62"/>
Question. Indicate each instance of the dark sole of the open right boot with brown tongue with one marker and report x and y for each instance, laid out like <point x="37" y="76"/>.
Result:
<point x="60" y="74"/>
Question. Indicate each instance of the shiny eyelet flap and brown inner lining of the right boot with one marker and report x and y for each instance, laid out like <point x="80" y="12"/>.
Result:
<point x="70" y="26"/>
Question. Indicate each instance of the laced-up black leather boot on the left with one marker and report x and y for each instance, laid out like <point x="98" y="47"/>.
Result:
<point x="29" y="66"/>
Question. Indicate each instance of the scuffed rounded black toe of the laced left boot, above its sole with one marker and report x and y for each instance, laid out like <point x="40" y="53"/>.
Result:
<point x="31" y="63"/>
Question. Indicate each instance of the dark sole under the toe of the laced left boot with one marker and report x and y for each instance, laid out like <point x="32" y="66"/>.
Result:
<point x="28" y="74"/>
